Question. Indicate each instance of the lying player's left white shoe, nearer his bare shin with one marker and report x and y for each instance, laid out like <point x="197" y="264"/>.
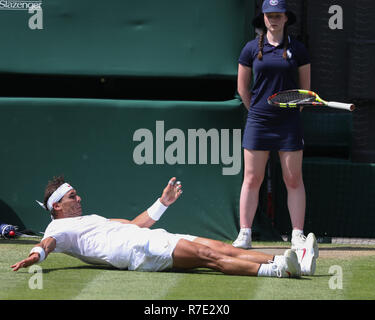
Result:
<point x="287" y="266"/>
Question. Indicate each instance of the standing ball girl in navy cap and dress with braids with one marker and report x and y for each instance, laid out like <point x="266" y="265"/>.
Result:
<point x="278" y="62"/>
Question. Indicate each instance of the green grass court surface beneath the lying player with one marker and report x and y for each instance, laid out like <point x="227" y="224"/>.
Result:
<point x="344" y="272"/>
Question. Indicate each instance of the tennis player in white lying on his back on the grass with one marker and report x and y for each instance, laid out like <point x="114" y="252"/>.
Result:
<point x="132" y="245"/>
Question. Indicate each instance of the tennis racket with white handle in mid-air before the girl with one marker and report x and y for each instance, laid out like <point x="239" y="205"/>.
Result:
<point x="304" y="98"/>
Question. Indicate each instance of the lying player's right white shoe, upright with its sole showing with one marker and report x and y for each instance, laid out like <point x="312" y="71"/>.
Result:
<point x="307" y="255"/>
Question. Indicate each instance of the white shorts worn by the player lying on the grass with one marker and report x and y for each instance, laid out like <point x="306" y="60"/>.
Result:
<point x="156" y="254"/>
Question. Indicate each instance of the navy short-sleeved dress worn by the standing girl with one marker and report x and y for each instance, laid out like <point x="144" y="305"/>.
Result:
<point x="269" y="127"/>
